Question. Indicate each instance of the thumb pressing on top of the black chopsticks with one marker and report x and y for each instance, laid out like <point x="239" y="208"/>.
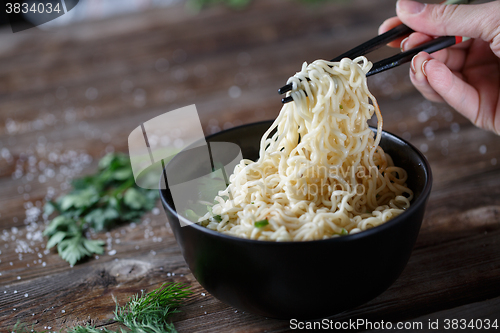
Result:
<point x="475" y="21"/>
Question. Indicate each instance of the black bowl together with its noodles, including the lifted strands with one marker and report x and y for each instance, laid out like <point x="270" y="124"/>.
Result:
<point x="311" y="214"/>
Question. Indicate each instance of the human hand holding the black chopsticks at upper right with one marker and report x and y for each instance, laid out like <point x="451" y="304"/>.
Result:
<point x="466" y="75"/>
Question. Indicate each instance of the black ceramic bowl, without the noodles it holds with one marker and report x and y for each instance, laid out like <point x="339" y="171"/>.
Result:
<point x="311" y="279"/>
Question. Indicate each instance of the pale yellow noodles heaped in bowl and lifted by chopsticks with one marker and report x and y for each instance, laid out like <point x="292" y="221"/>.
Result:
<point x="322" y="173"/>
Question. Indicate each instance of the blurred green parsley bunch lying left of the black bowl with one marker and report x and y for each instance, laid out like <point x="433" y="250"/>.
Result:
<point x="97" y="202"/>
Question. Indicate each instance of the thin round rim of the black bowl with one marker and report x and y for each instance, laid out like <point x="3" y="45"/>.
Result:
<point x="351" y="237"/>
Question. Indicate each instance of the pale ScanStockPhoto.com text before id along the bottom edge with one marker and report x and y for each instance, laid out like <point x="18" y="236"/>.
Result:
<point x="354" y="324"/>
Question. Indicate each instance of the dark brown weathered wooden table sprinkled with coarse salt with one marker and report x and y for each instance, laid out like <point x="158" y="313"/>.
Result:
<point x="70" y="96"/>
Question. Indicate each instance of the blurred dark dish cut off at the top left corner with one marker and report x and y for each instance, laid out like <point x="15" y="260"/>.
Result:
<point x="27" y="14"/>
